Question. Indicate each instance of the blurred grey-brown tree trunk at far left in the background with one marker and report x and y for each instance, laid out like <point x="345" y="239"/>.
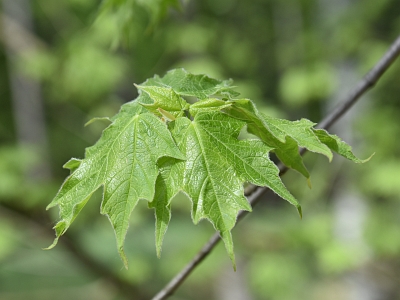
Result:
<point x="25" y="92"/>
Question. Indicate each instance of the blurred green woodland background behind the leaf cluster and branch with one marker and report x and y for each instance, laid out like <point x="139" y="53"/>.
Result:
<point x="64" y="62"/>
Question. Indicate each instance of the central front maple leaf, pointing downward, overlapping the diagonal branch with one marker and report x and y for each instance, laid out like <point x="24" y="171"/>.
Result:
<point x="217" y="164"/>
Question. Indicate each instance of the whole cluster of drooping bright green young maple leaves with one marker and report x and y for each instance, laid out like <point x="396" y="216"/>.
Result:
<point x="159" y="145"/>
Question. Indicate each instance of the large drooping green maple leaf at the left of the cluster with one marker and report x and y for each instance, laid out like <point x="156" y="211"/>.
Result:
<point x="124" y="162"/>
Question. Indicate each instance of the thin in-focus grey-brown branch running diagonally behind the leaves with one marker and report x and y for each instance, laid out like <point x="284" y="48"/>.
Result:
<point x="364" y="85"/>
